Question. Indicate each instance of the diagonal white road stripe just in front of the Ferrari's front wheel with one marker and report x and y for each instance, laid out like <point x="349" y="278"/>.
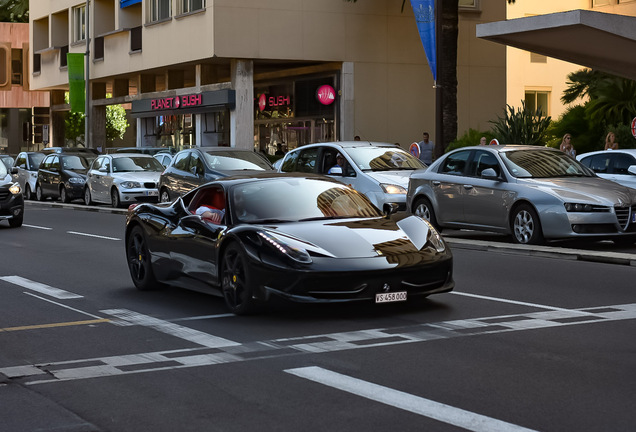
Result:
<point x="195" y="336"/>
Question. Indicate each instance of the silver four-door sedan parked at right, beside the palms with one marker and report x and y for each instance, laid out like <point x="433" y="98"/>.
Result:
<point x="534" y="193"/>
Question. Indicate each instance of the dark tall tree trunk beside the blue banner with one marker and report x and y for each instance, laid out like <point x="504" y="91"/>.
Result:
<point x="447" y="70"/>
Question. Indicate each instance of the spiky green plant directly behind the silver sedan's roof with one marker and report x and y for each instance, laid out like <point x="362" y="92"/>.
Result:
<point x="521" y="126"/>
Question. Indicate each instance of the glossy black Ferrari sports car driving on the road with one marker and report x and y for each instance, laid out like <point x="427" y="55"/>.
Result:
<point x="303" y="237"/>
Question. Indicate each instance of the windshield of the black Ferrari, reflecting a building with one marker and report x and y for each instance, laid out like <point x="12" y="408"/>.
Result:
<point x="296" y="199"/>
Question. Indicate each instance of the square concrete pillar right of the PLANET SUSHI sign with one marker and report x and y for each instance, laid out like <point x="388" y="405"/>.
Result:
<point x="242" y="117"/>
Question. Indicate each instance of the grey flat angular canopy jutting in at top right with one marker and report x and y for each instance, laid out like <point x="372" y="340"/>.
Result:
<point x="601" y="41"/>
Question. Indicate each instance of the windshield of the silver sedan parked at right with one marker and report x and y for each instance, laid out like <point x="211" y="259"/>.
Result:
<point x="543" y="164"/>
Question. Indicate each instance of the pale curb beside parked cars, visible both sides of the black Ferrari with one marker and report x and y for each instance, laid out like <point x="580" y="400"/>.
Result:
<point x="480" y="245"/>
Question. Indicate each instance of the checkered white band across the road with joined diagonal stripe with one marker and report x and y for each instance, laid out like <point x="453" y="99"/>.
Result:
<point x="214" y="351"/>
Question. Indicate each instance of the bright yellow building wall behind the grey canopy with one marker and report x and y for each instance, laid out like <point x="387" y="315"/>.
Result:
<point x="540" y="80"/>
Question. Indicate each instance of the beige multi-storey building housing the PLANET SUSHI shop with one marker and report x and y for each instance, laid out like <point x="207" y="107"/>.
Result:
<point x="261" y="73"/>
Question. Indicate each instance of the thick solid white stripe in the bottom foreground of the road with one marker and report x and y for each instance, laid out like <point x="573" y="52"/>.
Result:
<point x="415" y="404"/>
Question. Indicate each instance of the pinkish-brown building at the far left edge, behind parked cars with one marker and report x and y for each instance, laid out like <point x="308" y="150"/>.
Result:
<point x="22" y="112"/>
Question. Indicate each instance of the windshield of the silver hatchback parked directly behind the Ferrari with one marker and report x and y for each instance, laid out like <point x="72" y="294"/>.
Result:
<point x="384" y="159"/>
